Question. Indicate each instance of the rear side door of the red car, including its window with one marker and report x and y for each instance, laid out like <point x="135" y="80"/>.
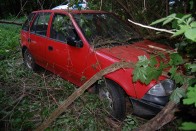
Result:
<point x="37" y="38"/>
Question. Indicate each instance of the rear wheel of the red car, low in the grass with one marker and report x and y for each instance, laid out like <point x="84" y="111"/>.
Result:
<point x="29" y="61"/>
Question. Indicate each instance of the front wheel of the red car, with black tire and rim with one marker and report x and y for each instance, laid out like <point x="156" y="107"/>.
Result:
<point x="114" y="99"/>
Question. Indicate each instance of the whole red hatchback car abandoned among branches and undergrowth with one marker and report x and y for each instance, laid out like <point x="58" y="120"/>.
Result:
<point x="77" y="44"/>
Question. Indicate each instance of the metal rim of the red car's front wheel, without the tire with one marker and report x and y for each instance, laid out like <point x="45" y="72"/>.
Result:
<point x="105" y="95"/>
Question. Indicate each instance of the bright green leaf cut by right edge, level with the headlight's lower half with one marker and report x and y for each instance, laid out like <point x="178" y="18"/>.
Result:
<point x="190" y="99"/>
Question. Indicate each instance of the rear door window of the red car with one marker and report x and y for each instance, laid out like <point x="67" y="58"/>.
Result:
<point x="40" y="24"/>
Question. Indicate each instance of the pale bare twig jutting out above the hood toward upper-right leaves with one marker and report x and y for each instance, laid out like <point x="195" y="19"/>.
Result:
<point x="150" y="27"/>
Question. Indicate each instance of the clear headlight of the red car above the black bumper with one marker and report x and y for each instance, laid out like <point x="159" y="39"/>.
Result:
<point x="163" y="88"/>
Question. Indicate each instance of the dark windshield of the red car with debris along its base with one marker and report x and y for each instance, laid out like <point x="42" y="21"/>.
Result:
<point x="104" y="29"/>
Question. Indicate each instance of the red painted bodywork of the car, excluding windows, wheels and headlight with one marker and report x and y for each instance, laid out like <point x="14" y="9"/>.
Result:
<point x="73" y="63"/>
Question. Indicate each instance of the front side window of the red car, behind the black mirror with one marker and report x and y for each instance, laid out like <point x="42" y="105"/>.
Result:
<point x="62" y="27"/>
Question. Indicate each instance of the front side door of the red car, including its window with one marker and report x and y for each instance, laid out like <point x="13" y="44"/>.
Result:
<point x="63" y="59"/>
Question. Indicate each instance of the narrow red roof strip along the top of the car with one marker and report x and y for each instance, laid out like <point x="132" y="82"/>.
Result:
<point x="71" y="11"/>
